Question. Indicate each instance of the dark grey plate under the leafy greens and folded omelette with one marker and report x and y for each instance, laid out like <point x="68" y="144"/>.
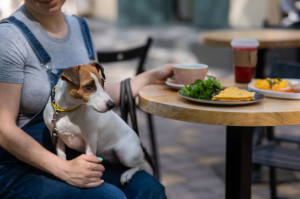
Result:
<point x="257" y="98"/>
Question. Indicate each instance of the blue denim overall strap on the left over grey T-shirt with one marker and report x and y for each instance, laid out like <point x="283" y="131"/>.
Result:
<point x="35" y="44"/>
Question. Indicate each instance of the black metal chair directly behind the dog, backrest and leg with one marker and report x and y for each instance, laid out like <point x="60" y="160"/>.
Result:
<point x="139" y="53"/>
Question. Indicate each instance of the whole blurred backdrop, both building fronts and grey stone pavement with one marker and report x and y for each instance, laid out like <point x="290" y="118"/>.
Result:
<point x="191" y="156"/>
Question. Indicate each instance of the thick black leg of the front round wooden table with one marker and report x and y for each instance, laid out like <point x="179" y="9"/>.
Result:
<point x="238" y="162"/>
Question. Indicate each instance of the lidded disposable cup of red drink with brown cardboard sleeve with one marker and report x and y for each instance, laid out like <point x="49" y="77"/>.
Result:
<point x="244" y="58"/>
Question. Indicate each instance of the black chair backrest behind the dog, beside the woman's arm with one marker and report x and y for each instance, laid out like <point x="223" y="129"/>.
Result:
<point x="139" y="52"/>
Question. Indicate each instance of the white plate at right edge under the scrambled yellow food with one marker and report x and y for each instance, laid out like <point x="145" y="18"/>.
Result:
<point x="275" y="94"/>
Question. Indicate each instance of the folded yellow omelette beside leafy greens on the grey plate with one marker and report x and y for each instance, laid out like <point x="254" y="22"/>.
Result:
<point x="234" y="94"/>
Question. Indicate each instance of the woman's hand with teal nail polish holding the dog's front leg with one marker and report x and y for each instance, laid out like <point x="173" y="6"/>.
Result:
<point x="85" y="171"/>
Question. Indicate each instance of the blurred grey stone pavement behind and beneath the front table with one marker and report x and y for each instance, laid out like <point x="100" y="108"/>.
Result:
<point x="192" y="156"/>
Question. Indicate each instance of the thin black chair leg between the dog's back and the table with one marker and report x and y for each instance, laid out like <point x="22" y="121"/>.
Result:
<point x="153" y="144"/>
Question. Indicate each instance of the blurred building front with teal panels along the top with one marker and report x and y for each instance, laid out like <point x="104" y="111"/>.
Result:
<point x="198" y="13"/>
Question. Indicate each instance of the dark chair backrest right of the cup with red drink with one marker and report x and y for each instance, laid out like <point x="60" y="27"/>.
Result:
<point x="284" y="69"/>
